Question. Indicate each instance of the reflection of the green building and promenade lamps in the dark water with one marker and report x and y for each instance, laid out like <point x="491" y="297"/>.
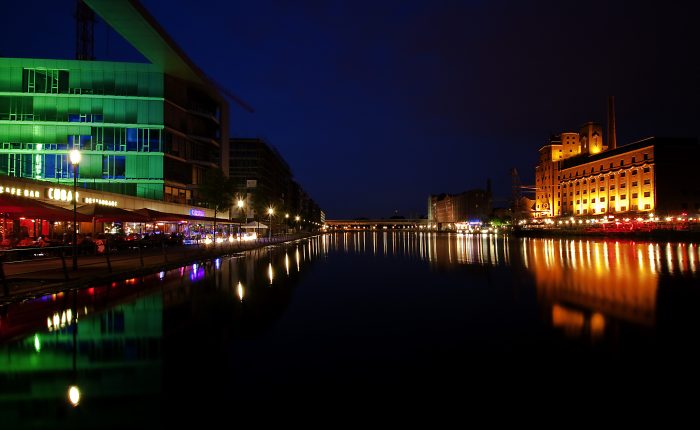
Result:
<point x="72" y="357"/>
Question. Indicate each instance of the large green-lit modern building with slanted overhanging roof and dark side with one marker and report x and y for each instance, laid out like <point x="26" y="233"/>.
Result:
<point x="146" y="130"/>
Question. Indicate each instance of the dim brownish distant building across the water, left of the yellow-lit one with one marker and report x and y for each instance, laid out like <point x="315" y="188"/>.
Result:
<point x="467" y="206"/>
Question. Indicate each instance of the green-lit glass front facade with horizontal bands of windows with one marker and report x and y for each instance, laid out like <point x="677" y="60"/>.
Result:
<point x="112" y="112"/>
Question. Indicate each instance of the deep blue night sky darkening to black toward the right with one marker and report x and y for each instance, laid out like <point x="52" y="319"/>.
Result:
<point x="377" y="104"/>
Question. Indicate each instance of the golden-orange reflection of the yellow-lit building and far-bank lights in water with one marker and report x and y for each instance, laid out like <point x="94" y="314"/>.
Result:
<point x="582" y="284"/>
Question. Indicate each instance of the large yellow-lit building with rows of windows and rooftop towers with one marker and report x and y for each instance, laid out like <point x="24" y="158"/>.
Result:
<point x="577" y="175"/>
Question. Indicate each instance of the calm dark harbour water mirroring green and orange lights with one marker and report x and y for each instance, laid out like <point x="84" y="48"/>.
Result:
<point x="351" y="321"/>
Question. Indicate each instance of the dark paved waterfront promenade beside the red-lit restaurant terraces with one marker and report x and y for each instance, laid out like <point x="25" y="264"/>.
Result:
<point x="43" y="274"/>
